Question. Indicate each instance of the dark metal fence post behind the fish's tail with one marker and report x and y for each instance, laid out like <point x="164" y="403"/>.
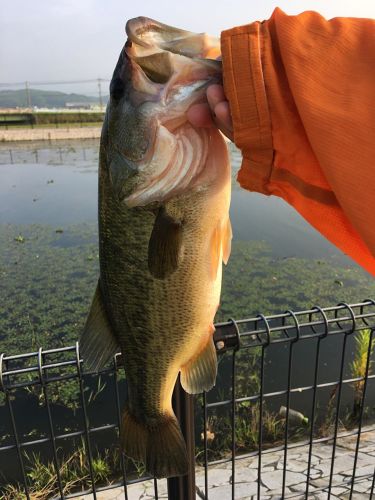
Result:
<point x="183" y="487"/>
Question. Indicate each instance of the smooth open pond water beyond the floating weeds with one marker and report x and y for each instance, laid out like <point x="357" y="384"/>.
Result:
<point x="57" y="185"/>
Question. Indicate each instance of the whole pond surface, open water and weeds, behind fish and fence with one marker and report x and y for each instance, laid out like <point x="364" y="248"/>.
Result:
<point x="49" y="262"/>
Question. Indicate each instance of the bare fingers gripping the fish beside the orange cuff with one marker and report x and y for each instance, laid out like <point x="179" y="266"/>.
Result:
<point x="213" y="113"/>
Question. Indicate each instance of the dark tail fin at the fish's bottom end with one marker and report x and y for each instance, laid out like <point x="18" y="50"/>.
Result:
<point x="161" y="446"/>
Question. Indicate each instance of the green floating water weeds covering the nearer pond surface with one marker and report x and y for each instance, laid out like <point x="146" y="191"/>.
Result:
<point x="47" y="283"/>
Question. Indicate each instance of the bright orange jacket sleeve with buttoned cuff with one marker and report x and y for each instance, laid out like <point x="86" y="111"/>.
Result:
<point x="302" y="95"/>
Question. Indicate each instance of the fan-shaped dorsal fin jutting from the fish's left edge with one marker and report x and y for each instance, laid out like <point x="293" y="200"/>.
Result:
<point x="98" y="343"/>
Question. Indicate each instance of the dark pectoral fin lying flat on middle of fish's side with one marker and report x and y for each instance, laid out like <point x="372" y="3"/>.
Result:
<point x="164" y="247"/>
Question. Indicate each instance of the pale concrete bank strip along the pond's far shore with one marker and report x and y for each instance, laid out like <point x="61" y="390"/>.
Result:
<point x="49" y="134"/>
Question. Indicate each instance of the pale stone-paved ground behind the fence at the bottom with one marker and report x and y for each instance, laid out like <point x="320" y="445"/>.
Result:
<point x="220" y="477"/>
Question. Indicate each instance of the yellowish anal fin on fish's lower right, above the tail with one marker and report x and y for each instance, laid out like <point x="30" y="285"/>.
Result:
<point x="200" y="373"/>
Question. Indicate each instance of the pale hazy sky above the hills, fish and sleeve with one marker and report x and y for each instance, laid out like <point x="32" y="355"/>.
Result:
<point x="69" y="40"/>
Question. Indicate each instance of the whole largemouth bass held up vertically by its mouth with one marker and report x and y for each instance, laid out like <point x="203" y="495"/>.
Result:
<point x="164" y="230"/>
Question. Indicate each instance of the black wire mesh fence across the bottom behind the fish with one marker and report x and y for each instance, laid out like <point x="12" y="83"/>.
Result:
<point x="291" y="415"/>
